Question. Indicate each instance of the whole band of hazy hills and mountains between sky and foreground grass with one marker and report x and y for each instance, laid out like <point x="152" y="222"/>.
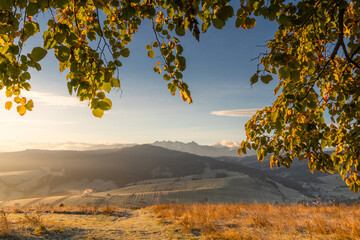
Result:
<point x="144" y="175"/>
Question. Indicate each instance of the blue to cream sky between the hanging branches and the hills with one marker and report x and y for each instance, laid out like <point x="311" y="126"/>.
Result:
<point x="218" y="73"/>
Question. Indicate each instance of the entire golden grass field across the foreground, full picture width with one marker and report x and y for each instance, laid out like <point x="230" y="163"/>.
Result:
<point x="193" y="221"/>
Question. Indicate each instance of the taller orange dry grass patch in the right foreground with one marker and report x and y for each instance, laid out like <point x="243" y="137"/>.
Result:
<point x="264" y="221"/>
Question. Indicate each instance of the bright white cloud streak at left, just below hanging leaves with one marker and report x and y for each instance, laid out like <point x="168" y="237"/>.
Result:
<point x="54" y="99"/>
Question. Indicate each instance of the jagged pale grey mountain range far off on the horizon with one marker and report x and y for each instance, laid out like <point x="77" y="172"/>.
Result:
<point x="202" y="150"/>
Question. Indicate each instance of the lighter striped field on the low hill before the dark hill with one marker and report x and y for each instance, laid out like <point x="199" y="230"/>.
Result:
<point x="232" y="189"/>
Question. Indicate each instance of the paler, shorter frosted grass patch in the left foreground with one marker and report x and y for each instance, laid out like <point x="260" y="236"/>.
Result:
<point x="84" y="222"/>
